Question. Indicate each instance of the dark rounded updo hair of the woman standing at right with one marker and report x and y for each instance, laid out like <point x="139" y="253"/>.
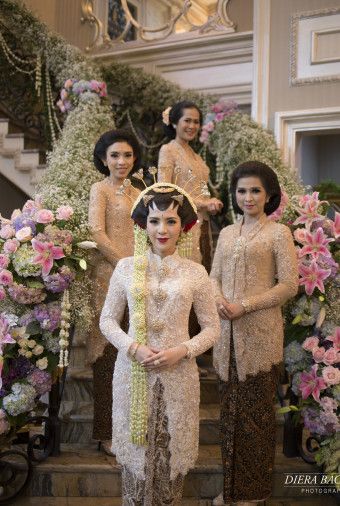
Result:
<point x="268" y="178"/>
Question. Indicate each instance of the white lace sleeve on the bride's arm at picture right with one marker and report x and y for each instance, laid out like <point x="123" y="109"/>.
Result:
<point x="205" y="309"/>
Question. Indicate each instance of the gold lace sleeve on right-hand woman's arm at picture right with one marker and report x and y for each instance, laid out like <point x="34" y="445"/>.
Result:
<point x="287" y="274"/>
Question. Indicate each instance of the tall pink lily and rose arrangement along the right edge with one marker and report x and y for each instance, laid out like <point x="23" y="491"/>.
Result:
<point x="313" y="356"/>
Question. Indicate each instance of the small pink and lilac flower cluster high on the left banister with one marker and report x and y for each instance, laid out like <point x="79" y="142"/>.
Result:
<point x="74" y="91"/>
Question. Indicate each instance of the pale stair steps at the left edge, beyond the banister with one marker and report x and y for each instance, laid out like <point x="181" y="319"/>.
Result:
<point x="19" y="164"/>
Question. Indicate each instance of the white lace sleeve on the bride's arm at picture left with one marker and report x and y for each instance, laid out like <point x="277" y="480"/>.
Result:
<point x="113" y="310"/>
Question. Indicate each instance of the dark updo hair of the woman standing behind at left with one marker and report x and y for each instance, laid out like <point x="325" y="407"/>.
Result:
<point x="109" y="138"/>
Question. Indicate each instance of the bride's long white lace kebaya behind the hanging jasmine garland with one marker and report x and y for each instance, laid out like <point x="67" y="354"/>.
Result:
<point x="173" y="286"/>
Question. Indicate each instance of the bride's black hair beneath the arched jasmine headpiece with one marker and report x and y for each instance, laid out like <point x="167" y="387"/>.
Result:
<point x="163" y="201"/>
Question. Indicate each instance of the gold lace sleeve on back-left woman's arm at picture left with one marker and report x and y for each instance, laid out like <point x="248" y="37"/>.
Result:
<point x="97" y="208"/>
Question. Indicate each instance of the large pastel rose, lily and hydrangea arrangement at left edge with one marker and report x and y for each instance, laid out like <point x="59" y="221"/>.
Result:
<point x="38" y="264"/>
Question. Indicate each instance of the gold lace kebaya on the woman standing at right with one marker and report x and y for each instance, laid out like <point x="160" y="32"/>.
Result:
<point x="258" y="270"/>
